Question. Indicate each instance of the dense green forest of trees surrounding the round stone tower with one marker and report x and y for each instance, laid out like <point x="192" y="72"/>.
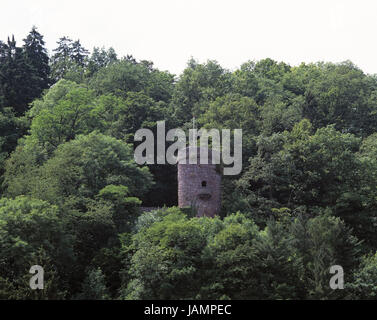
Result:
<point x="71" y="192"/>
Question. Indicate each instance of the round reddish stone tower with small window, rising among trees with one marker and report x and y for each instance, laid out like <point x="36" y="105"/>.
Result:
<point x="199" y="185"/>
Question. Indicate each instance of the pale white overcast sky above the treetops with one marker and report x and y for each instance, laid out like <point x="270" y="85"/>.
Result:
<point x="169" y="32"/>
